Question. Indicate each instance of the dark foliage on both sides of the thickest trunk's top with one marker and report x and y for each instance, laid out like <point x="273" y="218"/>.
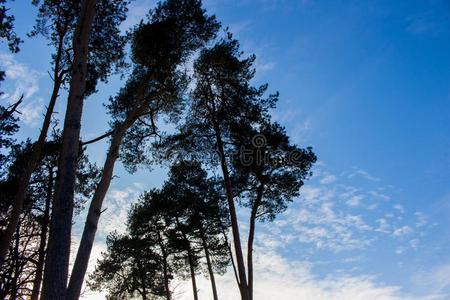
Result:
<point x="57" y="21"/>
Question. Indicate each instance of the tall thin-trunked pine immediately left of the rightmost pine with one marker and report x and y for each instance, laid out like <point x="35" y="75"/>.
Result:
<point x="223" y="97"/>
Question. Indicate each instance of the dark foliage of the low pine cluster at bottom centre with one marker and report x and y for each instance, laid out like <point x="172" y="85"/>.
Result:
<point x="173" y="231"/>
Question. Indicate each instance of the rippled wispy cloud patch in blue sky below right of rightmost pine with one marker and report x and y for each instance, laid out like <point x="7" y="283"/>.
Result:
<point x="334" y="215"/>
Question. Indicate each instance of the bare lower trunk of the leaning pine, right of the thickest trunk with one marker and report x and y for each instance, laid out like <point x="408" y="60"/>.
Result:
<point x="92" y="219"/>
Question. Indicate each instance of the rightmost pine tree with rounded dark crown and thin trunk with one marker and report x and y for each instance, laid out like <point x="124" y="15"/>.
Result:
<point x="268" y="172"/>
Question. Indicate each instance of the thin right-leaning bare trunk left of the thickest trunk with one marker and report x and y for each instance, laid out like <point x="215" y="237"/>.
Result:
<point x="31" y="163"/>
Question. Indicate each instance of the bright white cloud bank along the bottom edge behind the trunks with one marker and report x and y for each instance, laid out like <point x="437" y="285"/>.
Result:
<point x="278" y="278"/>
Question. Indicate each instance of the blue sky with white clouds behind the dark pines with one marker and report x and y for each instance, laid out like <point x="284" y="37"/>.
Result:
<point x="367" y="84"/>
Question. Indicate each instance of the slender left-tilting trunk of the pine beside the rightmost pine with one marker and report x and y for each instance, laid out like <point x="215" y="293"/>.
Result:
<point x="243" y="287"/>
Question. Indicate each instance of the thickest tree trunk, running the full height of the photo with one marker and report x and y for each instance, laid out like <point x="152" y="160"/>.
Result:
<point x="58" y="252"/>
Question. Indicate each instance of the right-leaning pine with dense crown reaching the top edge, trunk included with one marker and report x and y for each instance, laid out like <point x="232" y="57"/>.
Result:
<point x="155" y="89"/>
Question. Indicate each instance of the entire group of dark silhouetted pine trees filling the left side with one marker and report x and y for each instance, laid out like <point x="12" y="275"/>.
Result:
<point x="226" y="155"/>
